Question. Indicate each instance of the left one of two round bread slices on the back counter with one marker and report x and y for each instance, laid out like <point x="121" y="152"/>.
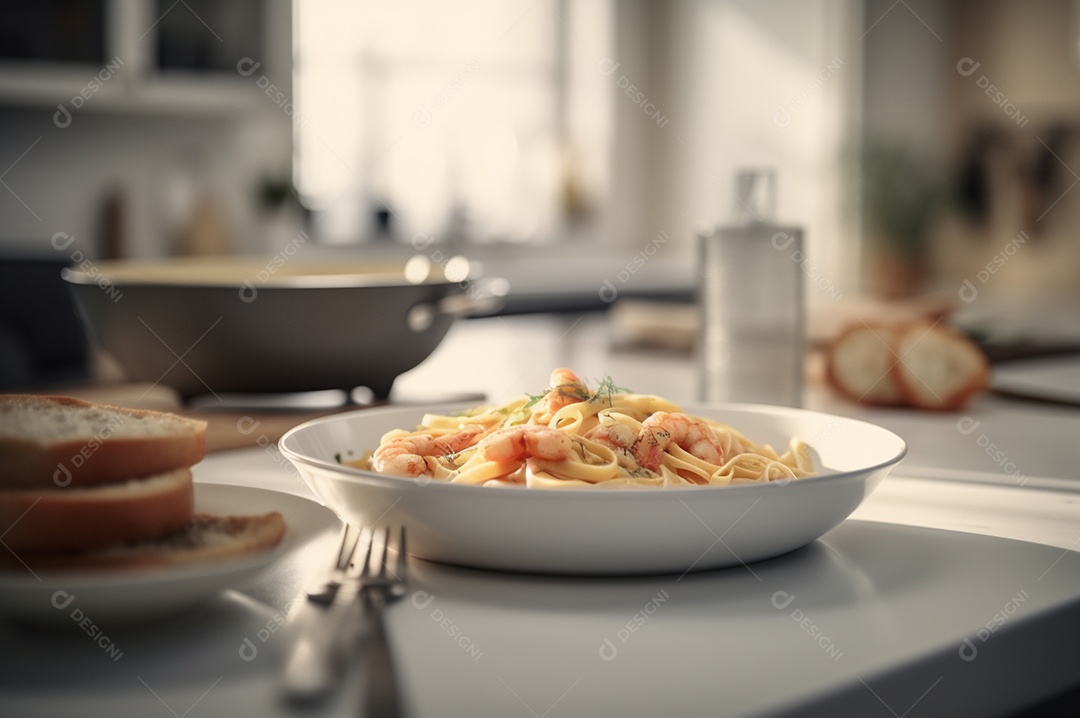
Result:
<point x="860" y="364"/>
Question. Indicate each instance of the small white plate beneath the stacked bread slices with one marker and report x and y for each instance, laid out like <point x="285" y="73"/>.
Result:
<point x="120" y="597"/>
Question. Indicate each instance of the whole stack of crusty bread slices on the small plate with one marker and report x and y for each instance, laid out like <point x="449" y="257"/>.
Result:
<point x="89" y="486"/>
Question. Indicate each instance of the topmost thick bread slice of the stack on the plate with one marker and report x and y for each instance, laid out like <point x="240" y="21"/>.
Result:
<point x="50" y="442"/>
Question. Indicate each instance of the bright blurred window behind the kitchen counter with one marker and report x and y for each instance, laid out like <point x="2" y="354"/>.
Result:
<point x="475" y="119"/>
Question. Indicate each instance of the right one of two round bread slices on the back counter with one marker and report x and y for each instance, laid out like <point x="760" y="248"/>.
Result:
<point x="941" y="369"/>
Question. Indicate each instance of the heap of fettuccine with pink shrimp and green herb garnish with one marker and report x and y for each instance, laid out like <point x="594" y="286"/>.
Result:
<point x="573" y="437"/>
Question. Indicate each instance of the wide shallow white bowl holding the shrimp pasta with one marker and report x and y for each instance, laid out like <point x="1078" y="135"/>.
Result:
<point x="603" y="532"/>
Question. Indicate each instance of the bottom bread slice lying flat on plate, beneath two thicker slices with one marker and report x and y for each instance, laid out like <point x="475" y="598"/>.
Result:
<point x="206" y="538"/>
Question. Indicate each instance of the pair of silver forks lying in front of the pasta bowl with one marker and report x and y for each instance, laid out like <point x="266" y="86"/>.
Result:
<point x="332" y="621"/>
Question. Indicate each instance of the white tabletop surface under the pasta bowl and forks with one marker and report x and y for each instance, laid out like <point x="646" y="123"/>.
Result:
<point x="952" y="591"/>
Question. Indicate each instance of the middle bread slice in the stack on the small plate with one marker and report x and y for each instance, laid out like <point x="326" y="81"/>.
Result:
<point x="55" y="520"/>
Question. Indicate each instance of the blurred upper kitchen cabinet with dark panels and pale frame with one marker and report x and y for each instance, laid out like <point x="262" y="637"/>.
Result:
<point x="145" y="57"/>
